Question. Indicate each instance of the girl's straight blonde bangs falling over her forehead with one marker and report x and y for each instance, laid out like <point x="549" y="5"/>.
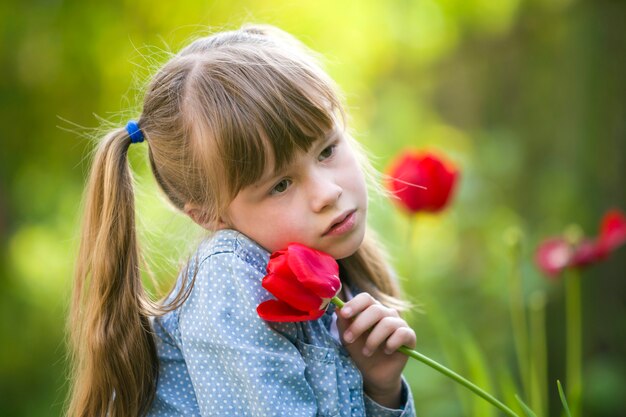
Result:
<point x="253" y="115"/>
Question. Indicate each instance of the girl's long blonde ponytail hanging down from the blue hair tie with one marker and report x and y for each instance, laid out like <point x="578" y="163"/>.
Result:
<point x="115" y="362"/>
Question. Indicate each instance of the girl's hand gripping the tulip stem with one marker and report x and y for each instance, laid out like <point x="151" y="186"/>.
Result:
<point x="371" y="333"/>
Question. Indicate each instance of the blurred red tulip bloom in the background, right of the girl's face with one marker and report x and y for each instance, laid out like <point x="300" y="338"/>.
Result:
<point x="414" y="170"/>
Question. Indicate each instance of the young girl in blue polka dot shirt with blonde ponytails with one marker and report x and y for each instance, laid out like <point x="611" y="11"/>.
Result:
<point x="246" y="135"/>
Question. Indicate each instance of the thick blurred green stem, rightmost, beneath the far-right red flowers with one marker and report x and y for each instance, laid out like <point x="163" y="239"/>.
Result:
<point x="574" y="340"/>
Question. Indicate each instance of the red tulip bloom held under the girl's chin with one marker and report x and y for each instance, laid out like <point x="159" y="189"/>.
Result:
<point x="303" y="280"/>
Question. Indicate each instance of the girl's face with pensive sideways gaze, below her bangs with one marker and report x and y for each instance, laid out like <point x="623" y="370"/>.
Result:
<point x="319" y="200"/>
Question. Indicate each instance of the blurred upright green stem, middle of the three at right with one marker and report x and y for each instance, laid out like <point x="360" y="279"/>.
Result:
<point x="539" y="358"/>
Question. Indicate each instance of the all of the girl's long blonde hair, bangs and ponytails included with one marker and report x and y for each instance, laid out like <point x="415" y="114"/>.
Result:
<point x="213" y="115"/>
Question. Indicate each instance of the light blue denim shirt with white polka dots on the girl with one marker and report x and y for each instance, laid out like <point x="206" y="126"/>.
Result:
<point x="218" y="358"/>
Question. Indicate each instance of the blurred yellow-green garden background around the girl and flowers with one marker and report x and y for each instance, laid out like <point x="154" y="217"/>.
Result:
<point x="527" y="97"/>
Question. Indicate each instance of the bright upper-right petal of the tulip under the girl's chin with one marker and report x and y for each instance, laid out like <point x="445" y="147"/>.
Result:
<point x="315" y="270"/>
